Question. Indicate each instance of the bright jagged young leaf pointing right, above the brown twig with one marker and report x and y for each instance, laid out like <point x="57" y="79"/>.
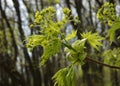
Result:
<point x="93" y="39"/>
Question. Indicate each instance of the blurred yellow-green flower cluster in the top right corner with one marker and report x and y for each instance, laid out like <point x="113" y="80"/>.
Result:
<point x="107" y="13"/>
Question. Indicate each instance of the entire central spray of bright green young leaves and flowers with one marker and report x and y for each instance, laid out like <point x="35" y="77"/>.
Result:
<point x="52" y="39"/>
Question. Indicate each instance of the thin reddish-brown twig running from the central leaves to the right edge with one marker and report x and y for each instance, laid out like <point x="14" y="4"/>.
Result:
<point x="101" y="63"/>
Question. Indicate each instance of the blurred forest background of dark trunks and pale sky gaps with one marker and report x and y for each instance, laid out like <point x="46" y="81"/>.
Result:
<point x="20" y="67"/>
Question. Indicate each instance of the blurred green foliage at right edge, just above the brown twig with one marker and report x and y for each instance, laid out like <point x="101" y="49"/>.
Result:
<point x="112" y="57"/>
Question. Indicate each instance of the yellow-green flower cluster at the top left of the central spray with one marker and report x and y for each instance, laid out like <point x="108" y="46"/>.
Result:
<point x="44" y="16"/>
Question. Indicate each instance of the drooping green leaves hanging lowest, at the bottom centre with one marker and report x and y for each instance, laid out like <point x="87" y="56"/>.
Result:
<point x="65" y="77"/>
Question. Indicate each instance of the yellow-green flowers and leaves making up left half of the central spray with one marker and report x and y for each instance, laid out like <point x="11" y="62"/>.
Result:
<point x="51" y="36"/>
